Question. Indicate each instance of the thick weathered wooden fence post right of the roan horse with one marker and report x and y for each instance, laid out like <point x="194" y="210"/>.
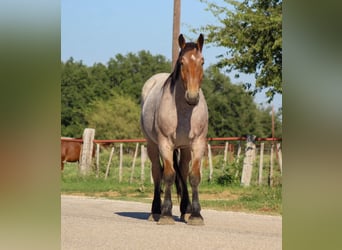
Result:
<point x="248" y="161"/>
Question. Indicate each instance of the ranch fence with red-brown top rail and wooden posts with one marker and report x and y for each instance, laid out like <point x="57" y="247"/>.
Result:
<point x="222" y="154"/>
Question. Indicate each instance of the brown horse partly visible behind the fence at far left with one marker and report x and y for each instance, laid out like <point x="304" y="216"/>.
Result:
<point x="71" y="151"/>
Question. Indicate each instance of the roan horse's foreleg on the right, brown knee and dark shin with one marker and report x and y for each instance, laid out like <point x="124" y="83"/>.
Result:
<point x="195" y="179"/>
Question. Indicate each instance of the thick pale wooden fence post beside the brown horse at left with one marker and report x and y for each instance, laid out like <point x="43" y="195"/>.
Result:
<point x="87" y="151"/>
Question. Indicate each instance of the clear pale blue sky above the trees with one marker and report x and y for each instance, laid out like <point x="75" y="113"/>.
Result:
<point x="95" y="31"/>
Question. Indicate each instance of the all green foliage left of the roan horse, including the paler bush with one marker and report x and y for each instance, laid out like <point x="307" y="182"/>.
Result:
<point x="87" y="90"/>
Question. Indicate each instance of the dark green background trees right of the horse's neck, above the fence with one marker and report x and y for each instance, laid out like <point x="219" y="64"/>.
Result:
<point x="232" y="111"/>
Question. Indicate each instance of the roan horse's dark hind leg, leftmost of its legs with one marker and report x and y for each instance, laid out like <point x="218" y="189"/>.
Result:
<point x="153" y="154"/>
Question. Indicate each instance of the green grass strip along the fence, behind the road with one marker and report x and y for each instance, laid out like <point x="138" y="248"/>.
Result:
<point x="227" y="195"/>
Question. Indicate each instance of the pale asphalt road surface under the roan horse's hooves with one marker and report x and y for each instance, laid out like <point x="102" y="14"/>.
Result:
<point x="93" y="223"/>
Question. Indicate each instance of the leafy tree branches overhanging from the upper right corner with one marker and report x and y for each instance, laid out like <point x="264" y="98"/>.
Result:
<point x="252" y="33"/>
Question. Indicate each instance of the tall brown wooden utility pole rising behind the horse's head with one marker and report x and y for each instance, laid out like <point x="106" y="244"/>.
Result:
<point x="176" y="31"/>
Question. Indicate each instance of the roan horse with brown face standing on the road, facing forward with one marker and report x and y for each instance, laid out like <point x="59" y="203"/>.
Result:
<point x="174" y="120"/>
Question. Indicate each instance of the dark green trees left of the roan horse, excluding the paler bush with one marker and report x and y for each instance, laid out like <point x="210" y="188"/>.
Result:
<point x="82" y="86"/>
